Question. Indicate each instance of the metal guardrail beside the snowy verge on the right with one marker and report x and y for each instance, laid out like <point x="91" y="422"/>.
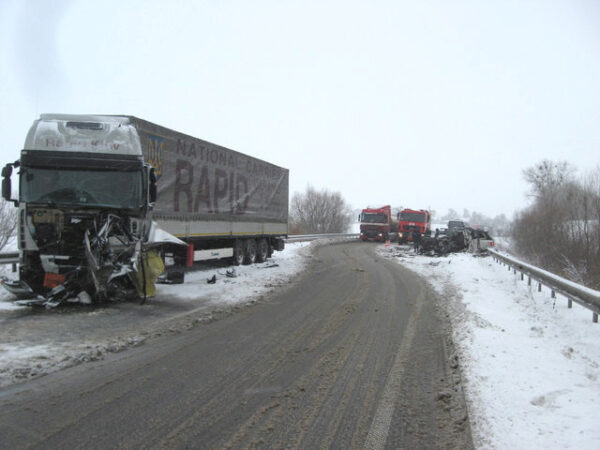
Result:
<point x="588" y="298"/>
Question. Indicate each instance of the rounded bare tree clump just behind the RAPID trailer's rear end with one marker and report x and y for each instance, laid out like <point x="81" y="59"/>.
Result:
<point x="319" y="212"/>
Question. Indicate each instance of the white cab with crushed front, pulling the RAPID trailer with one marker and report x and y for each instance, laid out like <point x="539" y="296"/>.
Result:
<point x="83" y="208"/>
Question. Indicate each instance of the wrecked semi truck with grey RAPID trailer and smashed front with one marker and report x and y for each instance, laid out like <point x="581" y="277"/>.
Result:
<point x="107" y="204"/>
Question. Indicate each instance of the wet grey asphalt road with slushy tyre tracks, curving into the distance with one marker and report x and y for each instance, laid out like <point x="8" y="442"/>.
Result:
<point x="354" y="354"/>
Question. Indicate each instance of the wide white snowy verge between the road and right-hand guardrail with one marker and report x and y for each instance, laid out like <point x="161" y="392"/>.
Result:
<point x="530" y="365"/>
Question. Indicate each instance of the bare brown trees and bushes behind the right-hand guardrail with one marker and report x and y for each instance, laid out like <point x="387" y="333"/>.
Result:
<point x="560" y="230"/>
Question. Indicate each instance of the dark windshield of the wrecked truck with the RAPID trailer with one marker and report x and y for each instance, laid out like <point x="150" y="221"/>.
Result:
<point x="89" y="188"/>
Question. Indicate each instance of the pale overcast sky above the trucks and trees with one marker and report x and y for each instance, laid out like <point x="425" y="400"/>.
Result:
<point x="424" y="104"/>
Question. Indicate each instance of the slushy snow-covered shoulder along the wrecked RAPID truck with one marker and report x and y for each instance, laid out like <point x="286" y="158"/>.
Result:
<point x="35" y="342"/>
